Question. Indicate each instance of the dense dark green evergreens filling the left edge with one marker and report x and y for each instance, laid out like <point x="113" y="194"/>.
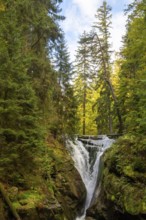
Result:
<point x="27" y="80"/>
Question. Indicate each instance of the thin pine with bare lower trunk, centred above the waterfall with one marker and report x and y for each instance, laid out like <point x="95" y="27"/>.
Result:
<point x="83" y="75"/>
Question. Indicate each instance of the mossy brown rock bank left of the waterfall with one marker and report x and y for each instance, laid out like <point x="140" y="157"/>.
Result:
<point x="54" y="191"/>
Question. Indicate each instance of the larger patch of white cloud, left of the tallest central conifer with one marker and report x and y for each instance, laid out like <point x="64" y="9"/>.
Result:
<point x="79" y="17"/>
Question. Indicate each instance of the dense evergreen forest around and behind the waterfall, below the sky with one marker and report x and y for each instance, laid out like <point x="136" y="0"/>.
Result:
<point x="45" y="98"/>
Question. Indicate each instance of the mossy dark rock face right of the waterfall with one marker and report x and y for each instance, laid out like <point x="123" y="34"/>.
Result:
<point x="123" y="193"/>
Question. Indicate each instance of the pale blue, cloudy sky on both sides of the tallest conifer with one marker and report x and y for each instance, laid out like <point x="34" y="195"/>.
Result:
<point x="80" y="15"/>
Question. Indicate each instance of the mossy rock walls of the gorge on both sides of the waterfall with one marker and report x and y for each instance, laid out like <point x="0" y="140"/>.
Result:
<point x="55" y="189"/>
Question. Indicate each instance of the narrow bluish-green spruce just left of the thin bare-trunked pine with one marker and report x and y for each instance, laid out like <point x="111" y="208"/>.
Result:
<point x="67" y="103"/>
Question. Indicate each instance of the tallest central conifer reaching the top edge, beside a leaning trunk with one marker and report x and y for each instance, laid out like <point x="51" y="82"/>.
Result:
<point x="101" y="53"/>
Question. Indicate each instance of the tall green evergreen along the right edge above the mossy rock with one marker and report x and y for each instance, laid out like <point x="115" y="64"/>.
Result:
<point x="132" y="74"/>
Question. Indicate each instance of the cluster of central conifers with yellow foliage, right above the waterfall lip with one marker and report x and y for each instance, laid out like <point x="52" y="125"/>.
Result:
<point x="93" y="76"/>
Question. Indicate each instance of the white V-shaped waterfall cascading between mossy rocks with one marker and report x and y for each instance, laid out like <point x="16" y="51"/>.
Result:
<point x="86" y="158"/>
